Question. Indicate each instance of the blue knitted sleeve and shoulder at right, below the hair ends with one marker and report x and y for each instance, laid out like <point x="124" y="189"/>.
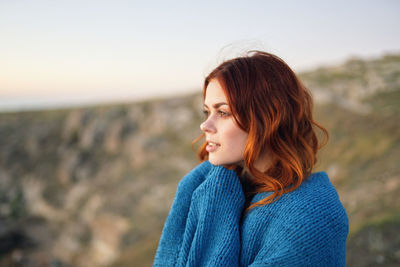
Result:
<point x="307" y="227"/>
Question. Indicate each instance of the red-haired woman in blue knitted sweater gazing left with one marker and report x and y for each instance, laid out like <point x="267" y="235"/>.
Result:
<point x="253" y="201"/>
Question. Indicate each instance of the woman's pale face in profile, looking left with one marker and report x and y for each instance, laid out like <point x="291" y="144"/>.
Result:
<point x="225" y="140"/>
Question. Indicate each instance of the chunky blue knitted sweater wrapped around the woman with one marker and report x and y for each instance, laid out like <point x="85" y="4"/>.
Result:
<point x="306" y="227"/>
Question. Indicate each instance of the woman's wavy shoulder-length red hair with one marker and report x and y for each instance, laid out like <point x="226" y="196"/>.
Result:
<point x="269" y="102"/>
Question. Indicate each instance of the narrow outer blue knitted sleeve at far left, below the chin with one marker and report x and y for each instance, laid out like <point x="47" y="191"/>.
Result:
<point x="172" y="234"/>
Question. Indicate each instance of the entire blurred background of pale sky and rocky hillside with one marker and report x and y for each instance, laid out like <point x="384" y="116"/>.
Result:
<point x="100" y="100"/>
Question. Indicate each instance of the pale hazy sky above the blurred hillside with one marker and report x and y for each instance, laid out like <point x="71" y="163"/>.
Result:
<point x="64" y="53"/>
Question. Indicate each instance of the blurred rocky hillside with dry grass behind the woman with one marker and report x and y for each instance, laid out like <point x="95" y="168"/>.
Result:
<point x="75" y="183"/>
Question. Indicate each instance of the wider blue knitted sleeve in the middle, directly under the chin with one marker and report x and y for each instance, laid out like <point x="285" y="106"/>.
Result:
<point x="212" y="235"/>
